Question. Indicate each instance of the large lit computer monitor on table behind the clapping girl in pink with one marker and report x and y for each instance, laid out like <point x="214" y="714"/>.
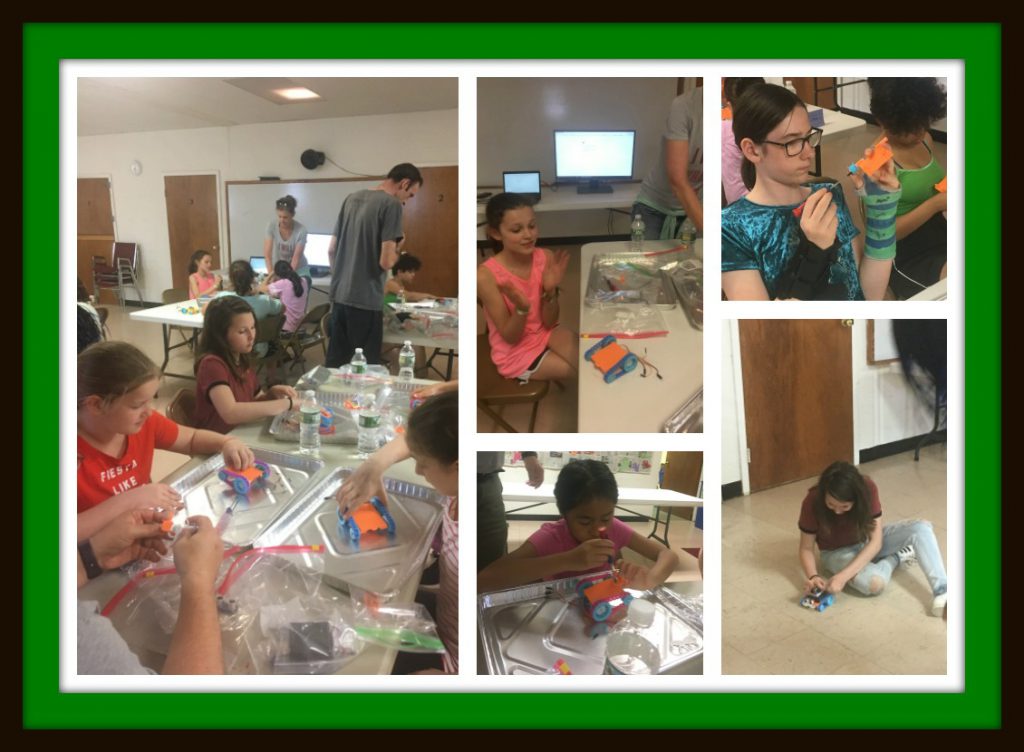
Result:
<point x="590" y="157"/>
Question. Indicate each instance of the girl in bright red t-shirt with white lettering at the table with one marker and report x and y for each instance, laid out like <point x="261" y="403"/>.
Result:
<point x="118" y="431"/>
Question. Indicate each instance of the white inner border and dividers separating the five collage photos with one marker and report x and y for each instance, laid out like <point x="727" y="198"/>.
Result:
<point x="468" y="72"/>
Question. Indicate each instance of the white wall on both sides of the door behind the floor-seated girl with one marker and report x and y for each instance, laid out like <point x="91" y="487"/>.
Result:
<point x="885" y="408"/>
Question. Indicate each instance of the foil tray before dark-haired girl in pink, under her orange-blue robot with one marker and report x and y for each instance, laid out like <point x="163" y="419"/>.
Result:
<point x="526" y="631"/>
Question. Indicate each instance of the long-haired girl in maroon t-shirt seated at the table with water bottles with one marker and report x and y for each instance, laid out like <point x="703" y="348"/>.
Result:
<point x="228" y="392"/>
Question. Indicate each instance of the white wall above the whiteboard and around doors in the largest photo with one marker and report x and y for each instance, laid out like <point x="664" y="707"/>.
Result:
<point x="370" y="145"/>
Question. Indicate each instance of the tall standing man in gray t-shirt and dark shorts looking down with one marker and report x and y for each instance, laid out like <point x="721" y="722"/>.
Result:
<point x="364" y="247"/>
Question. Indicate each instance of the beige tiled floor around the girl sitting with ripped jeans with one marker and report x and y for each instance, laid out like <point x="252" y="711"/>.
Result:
<point x="764" y="632"/>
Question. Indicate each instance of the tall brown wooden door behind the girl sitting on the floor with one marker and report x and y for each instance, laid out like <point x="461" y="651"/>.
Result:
<point x="798" y="395"/>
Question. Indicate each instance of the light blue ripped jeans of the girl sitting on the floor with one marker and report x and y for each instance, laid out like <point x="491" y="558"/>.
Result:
<point x="916" y="532"/>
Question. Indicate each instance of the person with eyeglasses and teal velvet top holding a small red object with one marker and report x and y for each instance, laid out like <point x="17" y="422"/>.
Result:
<point x="791" y="239"/>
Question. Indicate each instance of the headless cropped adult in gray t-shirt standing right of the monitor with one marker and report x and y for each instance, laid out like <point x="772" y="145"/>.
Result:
<point x="674" y="188"/>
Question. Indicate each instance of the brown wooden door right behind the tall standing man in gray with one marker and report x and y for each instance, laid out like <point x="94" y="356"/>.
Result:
<point x="432" y="224"/>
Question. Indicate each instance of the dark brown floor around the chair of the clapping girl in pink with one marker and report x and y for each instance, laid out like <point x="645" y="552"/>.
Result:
<point x="558" y="413"/>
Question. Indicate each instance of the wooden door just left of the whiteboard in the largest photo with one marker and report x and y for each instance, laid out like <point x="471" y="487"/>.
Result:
<point x="192" y="222"/>
